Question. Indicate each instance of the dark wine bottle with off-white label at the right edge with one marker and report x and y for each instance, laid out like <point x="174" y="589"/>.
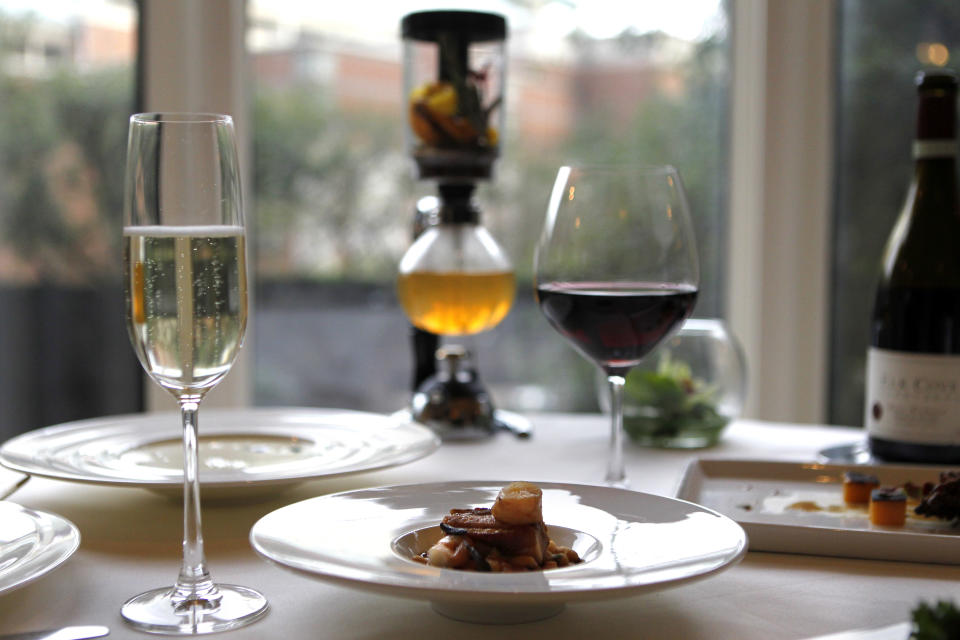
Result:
<point x="913" y="363"/>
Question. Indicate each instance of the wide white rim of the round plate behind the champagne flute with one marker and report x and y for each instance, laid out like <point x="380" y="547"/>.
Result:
<point x="12" y="458"/>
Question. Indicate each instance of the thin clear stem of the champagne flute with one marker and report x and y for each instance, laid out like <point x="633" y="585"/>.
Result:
<point x="194" y="585"/>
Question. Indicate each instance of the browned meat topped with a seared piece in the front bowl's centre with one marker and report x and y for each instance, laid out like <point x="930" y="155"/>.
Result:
<point x="510" y="536"/>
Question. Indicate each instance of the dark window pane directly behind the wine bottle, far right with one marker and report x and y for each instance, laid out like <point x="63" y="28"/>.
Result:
<point x="882" y="44"/>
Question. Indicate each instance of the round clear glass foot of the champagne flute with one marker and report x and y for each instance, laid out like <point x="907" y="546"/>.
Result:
<point x="156" y="612"/>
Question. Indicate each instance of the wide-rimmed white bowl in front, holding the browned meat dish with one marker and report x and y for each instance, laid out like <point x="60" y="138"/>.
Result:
<point x="630" y="542"/>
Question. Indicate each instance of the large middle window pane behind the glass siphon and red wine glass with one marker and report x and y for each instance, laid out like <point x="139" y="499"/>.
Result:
<point x="335" y="200"/>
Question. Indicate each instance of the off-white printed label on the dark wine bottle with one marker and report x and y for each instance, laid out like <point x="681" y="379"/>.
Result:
<point x="913" y="397"/>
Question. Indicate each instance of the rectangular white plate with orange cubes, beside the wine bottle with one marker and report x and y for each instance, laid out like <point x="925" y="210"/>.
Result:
<point x="798" y="508"/>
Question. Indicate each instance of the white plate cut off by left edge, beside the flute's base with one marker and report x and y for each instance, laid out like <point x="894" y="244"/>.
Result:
<point x="32" y="543"/>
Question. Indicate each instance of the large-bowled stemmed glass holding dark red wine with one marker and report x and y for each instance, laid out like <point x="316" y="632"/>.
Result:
<point x="616" y="271"/>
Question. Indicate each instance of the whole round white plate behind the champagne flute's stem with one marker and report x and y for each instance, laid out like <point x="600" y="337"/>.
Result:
<point x="241" y="450"/>
